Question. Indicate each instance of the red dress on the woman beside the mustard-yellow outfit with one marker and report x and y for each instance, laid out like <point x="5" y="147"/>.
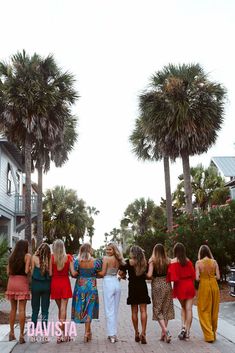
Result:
<point x="183" y="278"/>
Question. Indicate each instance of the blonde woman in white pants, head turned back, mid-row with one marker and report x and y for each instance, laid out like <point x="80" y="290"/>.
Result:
<point x="111" y="288"/>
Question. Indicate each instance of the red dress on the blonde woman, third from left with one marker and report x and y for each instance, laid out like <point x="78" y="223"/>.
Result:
<point x="60" y="282"/>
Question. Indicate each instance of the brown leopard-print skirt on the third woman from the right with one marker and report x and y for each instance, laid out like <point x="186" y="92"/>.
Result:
<point x="163" y="308"/>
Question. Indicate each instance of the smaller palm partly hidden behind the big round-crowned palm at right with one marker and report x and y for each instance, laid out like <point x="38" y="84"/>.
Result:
<point x="146" y="147"/>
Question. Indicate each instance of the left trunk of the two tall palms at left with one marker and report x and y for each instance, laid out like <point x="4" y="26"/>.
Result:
<point x="28" y="224"/>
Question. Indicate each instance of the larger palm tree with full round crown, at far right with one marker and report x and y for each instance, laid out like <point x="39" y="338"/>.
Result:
<point x="183" y="110"/>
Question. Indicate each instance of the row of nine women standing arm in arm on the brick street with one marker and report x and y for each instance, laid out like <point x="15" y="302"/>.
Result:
<point x="50" y="280"/>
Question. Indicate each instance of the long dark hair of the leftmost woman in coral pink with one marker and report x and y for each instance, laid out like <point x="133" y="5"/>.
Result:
<point x="16" y="260"/>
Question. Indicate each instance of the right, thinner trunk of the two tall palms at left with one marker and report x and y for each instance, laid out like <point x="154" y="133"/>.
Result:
<point x="39" y="206"/>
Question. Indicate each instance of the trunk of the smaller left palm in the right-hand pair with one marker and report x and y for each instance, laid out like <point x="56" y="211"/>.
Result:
<point x="169" y="213"/>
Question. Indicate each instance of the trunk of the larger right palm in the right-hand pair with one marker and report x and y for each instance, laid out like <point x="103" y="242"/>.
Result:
<point x="187" y="183"/>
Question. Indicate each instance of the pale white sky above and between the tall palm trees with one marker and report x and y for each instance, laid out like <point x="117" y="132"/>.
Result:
<point x="113" y="48"/>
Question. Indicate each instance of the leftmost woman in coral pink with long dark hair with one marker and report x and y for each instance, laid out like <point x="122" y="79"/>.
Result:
<point x="18" y="286"/>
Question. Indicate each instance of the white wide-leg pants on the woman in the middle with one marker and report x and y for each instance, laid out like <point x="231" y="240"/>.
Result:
<point x="112" y="294"/>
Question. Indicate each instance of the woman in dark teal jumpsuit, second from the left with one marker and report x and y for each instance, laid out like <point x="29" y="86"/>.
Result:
<point x="41" y="283"/>
